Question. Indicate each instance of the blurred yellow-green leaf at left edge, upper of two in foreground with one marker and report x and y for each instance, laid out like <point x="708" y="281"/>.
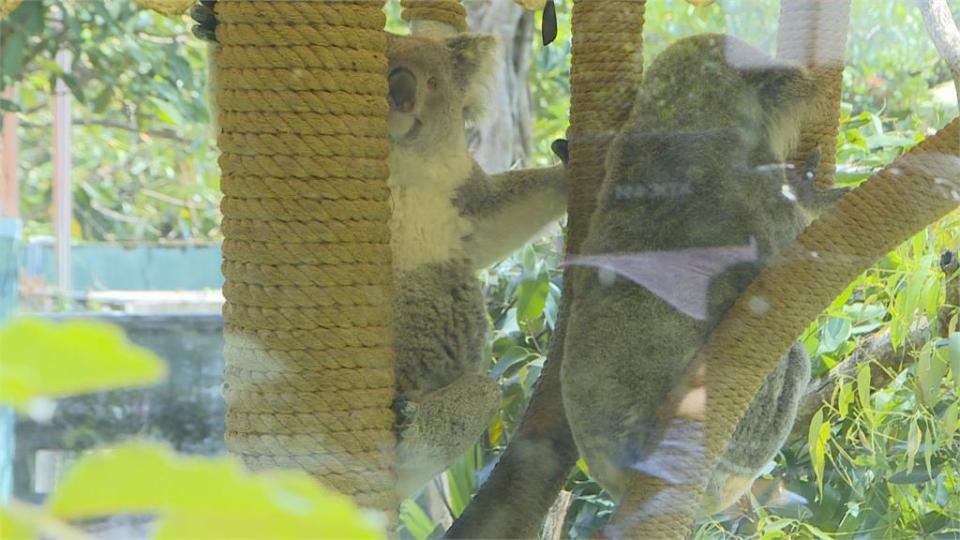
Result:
<point x="42" y="359"/>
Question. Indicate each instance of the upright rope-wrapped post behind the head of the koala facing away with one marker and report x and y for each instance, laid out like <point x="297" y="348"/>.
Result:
<point x="813" y="34"/>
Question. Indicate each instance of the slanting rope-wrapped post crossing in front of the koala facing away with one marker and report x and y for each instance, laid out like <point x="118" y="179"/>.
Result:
<point x="919" y="188"/>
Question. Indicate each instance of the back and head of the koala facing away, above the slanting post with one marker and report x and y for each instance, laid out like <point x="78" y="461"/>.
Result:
<point x="695" y="170"/>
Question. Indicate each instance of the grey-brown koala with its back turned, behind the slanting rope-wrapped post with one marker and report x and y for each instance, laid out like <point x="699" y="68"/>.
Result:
<point x="695" y="202"/>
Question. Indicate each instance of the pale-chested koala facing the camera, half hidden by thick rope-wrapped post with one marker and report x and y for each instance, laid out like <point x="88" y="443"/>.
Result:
<point x="449" y="220"/>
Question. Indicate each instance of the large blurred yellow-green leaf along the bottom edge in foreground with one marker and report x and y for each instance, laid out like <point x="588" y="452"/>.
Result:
<point x="198" y="497"/>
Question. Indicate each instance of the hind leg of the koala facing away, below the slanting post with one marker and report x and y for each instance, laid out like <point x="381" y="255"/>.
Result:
<point x="761" y="432"/>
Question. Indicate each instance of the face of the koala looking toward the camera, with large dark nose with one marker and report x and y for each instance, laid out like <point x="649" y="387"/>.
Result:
<point x="434" y="86"/>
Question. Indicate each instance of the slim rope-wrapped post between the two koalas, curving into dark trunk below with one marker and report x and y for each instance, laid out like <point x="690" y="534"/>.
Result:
<point x="606" y="69"/>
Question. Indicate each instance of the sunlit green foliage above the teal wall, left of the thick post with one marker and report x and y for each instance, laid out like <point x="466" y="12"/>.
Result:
<point x="144" y="160"/>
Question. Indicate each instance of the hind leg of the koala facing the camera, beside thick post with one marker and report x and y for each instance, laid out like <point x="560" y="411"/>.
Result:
<point x="444" y="424"/>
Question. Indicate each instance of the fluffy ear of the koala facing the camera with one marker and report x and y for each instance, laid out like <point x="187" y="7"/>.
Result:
<point x="474" y="70"/>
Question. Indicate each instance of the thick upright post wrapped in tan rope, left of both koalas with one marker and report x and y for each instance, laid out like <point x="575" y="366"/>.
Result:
<point x="309" y="377"/>
